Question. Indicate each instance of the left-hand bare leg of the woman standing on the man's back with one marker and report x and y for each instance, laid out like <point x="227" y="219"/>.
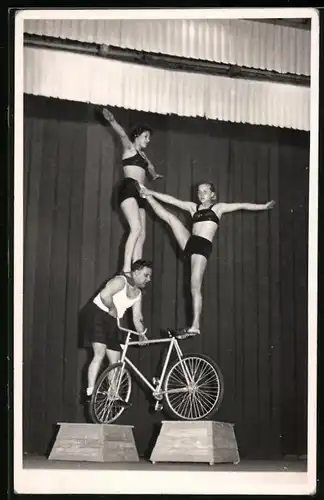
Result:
<point x="131" y="212"/>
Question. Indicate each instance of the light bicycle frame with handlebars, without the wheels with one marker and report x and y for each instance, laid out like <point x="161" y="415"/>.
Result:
<point x="126" y="361"/>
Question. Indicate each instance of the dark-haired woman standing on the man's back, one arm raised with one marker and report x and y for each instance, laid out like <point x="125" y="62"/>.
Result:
<point x="135" y="167"/>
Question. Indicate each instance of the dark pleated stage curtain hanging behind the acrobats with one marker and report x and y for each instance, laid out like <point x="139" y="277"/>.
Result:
<point x="255" y="290"/>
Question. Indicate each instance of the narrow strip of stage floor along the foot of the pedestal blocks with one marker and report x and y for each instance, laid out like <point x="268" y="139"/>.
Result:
<point x="39" y="462"/>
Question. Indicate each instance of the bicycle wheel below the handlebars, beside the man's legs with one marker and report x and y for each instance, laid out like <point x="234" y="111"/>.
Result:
<point x="104" y="407"/>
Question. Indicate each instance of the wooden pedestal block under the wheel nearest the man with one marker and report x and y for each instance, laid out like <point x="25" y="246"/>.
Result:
<point x="95" y="443"/>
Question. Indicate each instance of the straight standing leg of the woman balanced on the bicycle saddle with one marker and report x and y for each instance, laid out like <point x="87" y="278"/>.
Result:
<point x="198" y="266"/>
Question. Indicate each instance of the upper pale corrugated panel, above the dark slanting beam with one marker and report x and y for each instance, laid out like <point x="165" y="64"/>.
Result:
<point x="240" y="42"/>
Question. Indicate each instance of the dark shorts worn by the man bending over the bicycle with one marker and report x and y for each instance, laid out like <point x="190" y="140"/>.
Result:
<point x="100" y="327"/>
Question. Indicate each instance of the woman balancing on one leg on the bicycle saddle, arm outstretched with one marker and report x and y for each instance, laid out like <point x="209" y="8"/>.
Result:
<point x="197" y="245"/>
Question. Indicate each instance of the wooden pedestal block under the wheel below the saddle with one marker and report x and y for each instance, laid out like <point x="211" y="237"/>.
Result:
<point x="196" y="441"/>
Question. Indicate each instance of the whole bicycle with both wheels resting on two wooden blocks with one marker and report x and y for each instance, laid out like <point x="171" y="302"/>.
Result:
<point x="191" y="388"/>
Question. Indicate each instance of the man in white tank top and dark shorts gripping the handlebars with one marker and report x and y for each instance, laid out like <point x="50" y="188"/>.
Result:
<point x="119" y="294"/>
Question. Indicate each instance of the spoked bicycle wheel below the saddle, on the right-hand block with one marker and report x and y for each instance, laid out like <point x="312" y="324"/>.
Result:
<point x="193" y="388"/>
